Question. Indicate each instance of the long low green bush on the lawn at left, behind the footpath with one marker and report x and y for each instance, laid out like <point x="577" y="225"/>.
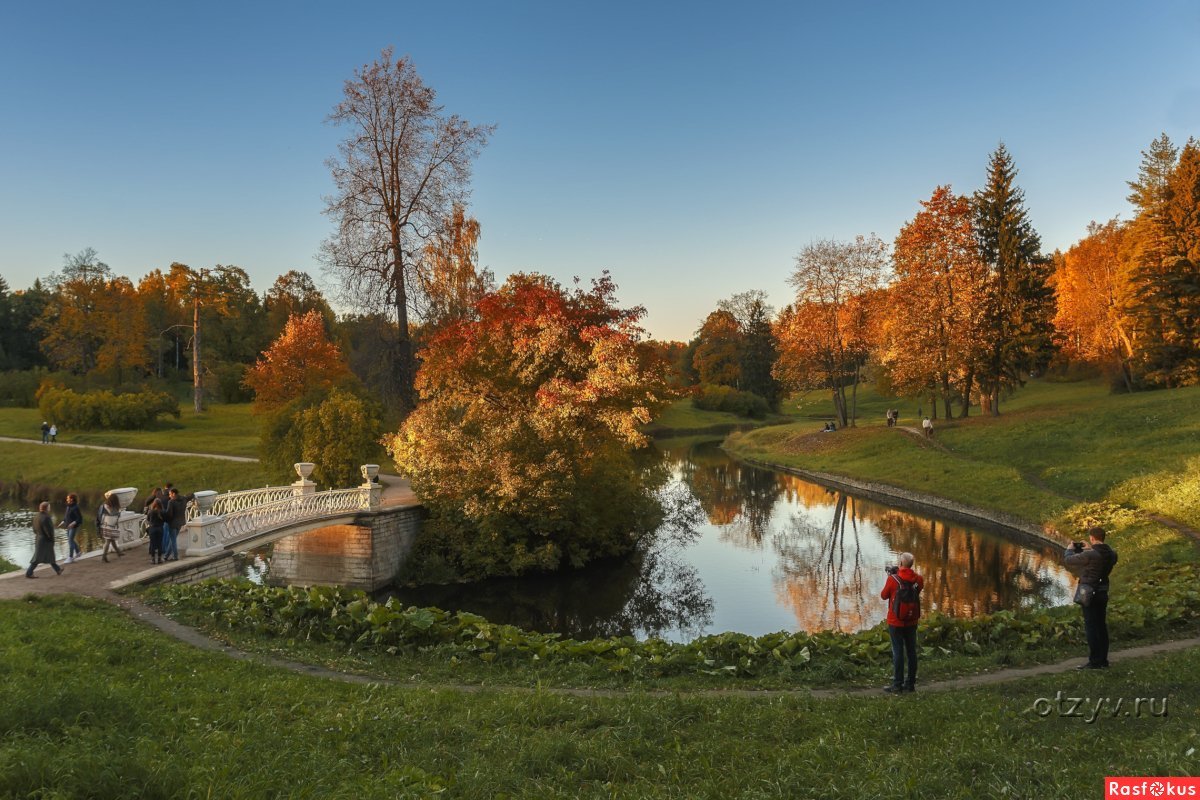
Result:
<point x="104" y="411"/>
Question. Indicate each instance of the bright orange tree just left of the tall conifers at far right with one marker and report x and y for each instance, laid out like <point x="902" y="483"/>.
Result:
<point x="1093" y="292"/>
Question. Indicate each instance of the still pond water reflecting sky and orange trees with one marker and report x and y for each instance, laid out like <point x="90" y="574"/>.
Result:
<point x="757" y="552"/>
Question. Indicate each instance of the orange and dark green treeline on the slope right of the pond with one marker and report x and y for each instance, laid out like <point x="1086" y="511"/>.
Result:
<point x="965" y="305"/>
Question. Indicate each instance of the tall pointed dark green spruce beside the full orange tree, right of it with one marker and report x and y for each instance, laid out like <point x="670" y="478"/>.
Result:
<point x="1018" y="304"/>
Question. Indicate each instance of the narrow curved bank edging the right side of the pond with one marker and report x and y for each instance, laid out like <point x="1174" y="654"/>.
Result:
<point x="895" y="496"/>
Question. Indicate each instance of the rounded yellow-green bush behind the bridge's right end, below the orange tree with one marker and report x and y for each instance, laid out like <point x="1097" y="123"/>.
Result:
<point x="338" y="431"/>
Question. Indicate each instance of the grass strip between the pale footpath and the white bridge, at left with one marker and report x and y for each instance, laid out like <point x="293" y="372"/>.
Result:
<point x="34" y="468"/>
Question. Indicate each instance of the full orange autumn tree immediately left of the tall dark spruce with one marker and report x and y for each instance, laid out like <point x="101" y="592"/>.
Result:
<point x="932" y="333"/>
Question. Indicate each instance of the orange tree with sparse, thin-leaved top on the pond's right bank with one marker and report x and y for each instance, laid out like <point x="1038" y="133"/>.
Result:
<point x="825" y="335"/>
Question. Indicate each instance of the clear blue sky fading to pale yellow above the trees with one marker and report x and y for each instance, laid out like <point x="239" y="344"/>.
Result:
<point x="692" y="149"/>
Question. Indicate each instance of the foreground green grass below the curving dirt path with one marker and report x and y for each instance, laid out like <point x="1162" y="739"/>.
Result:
<point x="86" y="712"/>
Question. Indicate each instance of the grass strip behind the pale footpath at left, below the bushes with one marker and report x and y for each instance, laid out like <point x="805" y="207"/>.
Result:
<point x="226" y="430"/>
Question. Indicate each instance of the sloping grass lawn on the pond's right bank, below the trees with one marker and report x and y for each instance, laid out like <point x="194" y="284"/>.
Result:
<point x="1054" y="446"/>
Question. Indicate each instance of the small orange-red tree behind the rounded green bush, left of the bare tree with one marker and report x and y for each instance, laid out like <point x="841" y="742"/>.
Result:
<point x="301" y="362"/>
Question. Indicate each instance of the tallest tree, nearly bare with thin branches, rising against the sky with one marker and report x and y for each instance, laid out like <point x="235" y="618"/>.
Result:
<point x="399" y="173"/>
